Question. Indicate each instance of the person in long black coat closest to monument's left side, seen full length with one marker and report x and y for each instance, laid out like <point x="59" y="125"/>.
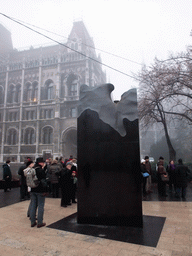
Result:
<point x="66" y="184"/>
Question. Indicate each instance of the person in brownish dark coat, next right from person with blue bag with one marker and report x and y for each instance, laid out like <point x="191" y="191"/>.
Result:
<point x="161" y="174"/>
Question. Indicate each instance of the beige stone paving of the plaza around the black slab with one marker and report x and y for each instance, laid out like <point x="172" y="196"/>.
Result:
<point x="18" y="238"/>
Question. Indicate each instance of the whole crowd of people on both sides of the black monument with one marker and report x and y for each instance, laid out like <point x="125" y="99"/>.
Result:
<point x="58" y="178"/>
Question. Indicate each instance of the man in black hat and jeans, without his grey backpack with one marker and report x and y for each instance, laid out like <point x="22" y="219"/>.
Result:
<point x="38" y="195"/>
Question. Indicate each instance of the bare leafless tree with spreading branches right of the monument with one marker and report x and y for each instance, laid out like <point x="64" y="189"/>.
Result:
<point x="165" y="93"/>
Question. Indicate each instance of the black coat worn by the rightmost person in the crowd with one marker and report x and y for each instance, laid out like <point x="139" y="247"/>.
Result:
<point x="181" y="175"/>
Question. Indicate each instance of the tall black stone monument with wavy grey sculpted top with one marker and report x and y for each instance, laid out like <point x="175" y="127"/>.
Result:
<point x="109" y="177"/>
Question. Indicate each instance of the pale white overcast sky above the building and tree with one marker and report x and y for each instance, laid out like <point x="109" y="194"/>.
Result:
<point x="138" y="30"/>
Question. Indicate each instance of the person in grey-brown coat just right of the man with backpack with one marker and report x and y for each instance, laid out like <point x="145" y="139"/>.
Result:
<point x="53" y="172"/>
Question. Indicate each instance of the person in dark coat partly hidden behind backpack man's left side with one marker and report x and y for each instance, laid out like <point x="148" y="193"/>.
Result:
<point x="23" y="188"/>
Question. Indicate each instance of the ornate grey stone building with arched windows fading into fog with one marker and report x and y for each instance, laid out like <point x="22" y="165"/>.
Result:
<point x="39" y="93"/>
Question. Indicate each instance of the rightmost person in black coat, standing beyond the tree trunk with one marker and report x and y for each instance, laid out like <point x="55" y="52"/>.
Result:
<point x="181" y="179"/>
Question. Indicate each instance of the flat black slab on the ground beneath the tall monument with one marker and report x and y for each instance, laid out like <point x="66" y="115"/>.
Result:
<point x="148" y="235"/>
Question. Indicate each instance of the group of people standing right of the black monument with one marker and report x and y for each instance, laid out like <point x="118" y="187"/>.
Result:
<point x="175" y="176"/>
